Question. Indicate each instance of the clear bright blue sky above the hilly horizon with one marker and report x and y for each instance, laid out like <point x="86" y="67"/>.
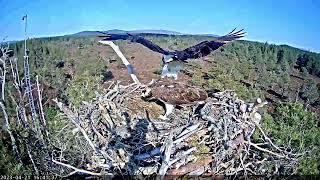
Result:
<point x="292" y="22"/>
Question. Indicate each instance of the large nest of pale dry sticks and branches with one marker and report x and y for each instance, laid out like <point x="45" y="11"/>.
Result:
<point x="126" y="138"/>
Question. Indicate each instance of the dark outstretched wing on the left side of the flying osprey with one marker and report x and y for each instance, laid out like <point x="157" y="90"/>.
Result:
<point x="134" y="38"/>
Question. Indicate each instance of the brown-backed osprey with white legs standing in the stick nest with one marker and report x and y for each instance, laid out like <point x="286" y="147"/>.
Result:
<point x="173" y="94"/>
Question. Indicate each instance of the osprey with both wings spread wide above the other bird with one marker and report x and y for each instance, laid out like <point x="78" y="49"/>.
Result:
<point x="172" y="59"/>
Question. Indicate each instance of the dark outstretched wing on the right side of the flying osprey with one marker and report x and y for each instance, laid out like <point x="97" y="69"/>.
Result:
<point x="206" y="47"/>
